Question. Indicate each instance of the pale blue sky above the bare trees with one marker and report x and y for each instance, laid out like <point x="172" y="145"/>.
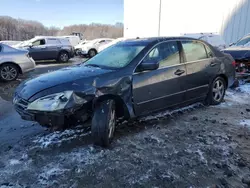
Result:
<point x="64" y="12"/>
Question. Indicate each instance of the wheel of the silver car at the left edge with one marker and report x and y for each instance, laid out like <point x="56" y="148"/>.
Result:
<point x="8" y="72"/>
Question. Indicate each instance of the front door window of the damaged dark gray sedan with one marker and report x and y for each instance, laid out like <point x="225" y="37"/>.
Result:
<point x="167" y="54"/>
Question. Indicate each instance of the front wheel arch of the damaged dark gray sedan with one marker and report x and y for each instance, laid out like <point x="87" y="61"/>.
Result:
<point x="121" y="107"/>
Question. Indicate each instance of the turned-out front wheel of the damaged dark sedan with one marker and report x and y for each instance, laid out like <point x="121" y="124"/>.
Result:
<point x="103" y="123"/>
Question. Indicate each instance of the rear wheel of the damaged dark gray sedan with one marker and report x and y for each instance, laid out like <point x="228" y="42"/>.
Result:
<point x="217" y="91"/>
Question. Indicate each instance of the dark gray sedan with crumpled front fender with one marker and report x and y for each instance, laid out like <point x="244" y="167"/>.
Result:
<point x="130" y="79"/>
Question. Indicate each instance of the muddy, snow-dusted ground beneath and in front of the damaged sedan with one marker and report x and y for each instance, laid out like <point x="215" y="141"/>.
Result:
<point x="196" y="146"/>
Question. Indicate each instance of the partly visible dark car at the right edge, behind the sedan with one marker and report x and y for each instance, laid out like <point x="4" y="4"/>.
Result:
<point x="240" y="51"/>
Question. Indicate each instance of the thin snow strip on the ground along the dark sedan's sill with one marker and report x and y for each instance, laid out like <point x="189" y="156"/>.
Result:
<point x="162" y="114"/>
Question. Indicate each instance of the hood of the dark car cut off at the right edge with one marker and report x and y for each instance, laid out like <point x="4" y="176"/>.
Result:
<point x="238" y="52"/>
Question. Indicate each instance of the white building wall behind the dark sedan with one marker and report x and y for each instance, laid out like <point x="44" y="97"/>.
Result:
<point x="230" y="18"/>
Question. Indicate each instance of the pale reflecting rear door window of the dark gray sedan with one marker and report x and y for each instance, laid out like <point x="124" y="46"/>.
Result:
<point x="194" y="50"/>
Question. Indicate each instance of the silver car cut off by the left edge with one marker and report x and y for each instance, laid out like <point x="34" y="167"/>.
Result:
<point x="14" y="62"/>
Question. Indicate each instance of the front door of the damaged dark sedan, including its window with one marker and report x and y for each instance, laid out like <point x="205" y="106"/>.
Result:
<point x="161" y="88"/>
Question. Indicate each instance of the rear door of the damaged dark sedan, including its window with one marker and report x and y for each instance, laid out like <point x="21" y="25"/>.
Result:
<point x="201" y="68"/>
